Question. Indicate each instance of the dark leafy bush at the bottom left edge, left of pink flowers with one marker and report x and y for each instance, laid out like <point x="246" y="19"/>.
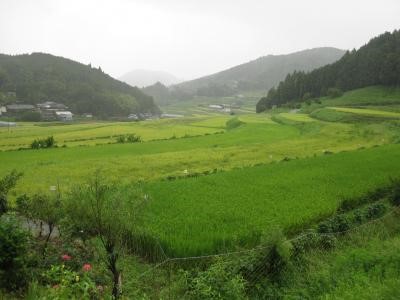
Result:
<point x="14" y="254"/>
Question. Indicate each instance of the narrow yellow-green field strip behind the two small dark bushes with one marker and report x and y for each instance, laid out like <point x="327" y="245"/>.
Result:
<point x="93" y="133"/>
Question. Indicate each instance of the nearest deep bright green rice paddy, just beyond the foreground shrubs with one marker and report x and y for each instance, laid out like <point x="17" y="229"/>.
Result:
<point x="210" y="214"/>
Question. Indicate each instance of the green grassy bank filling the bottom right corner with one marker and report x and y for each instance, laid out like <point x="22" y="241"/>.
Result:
<point x="363" y="265"/>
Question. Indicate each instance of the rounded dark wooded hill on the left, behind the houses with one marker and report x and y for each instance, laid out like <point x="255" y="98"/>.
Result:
<point x="42" y="77"/>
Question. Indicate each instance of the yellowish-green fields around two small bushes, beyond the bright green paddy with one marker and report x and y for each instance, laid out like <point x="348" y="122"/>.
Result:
<point x="258" y="140"/>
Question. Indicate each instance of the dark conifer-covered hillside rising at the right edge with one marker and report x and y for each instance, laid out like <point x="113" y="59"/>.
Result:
<point x="376" y="63"/>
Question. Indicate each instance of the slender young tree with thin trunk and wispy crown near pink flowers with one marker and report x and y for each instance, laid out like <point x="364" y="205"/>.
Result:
<point x="108" y="213"/>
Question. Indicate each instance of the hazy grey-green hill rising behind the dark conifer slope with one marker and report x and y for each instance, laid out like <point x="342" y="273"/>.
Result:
<point x="259" y="74"/>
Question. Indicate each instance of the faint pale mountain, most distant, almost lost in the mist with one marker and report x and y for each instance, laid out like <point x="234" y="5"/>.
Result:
<point x="143" y="78"/>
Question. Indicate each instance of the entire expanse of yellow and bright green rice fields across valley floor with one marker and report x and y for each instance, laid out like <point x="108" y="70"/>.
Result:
<point x="272" y="169"/>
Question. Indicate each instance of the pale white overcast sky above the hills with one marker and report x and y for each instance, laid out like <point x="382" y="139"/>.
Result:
<point x="187" y="38"/>
